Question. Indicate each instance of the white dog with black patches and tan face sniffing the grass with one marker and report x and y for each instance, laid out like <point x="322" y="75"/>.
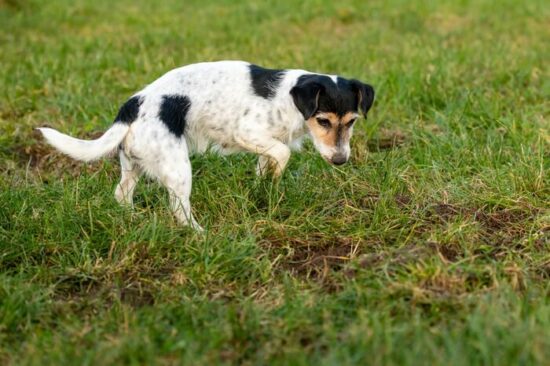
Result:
<point x="227" y="107"/>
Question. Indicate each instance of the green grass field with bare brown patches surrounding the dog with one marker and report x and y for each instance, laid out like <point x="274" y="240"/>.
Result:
<point x="430" y="247"/>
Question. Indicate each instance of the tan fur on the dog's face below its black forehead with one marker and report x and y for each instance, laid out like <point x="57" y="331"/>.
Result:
<point x="339" y="132"/>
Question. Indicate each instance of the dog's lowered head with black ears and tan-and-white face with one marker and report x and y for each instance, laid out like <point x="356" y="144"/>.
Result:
<point x="330" y="110"/>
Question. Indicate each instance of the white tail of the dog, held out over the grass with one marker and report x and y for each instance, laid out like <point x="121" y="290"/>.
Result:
<point x="87" y="150"/>
